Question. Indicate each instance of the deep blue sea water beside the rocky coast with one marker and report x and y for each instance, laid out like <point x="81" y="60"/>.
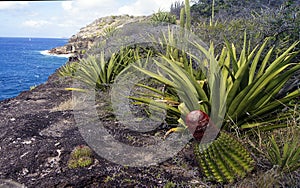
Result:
<point x="25" y="63"/>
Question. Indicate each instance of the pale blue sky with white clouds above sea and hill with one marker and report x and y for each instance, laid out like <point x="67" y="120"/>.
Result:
<point x="62" y="19"/>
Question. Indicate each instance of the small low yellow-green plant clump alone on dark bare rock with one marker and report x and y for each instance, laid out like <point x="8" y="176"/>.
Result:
<point x="81" y="156"/>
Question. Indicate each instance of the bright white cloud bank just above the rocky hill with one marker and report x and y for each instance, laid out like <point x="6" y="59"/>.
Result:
<point x="79" y="13"/>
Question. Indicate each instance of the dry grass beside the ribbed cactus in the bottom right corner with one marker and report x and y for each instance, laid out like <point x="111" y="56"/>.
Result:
<point x="266" y="174"/>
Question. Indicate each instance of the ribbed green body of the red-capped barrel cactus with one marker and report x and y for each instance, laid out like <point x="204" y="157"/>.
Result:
<point x="225" y="159"/>
